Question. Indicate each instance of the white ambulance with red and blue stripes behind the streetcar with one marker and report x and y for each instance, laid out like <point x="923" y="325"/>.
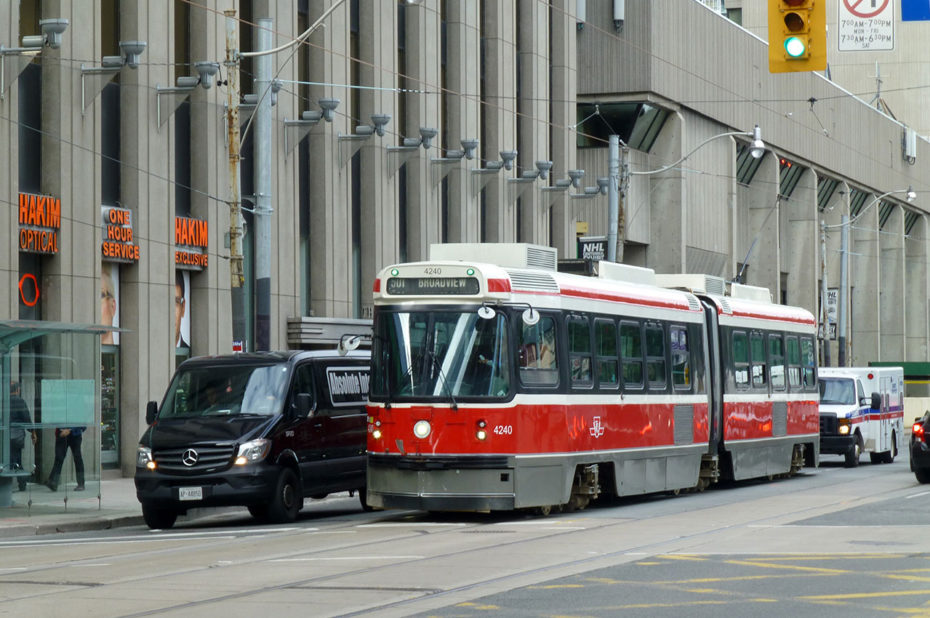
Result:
<point x="861" y="410"/>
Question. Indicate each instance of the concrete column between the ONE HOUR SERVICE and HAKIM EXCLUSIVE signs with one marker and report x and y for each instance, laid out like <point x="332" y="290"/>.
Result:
<point x="146" y="288"/>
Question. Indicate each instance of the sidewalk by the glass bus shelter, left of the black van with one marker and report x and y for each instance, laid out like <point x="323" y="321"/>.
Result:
<point x="117" y="506"/>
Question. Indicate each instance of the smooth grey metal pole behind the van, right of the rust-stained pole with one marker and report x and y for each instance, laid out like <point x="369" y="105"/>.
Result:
<point x="263" y="187"/>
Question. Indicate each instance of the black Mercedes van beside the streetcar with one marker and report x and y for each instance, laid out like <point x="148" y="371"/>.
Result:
<point x="261" y="430"/>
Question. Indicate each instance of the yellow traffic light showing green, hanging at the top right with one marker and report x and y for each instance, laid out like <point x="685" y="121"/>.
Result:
<point x="797" y="35"/>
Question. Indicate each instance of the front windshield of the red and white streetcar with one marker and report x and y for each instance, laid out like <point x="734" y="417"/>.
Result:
<point x="444" y="354"/>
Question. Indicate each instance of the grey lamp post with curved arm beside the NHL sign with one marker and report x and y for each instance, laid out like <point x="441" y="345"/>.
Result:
<point x="619" y="166"/>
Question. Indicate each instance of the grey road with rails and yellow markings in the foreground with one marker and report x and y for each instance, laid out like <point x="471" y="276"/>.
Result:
<point x="829" y="542"/>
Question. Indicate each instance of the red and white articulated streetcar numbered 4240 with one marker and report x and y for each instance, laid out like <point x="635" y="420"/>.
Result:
<point x="499" y="383"/>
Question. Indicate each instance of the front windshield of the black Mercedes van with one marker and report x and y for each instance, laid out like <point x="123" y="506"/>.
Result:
<point x="223" y="390"/>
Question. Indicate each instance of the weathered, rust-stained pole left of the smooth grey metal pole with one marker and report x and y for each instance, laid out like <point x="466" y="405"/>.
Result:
<point x="236" y="271"/>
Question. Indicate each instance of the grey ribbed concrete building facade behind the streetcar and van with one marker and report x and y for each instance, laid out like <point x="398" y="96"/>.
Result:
<point x="531" y="81"/>
